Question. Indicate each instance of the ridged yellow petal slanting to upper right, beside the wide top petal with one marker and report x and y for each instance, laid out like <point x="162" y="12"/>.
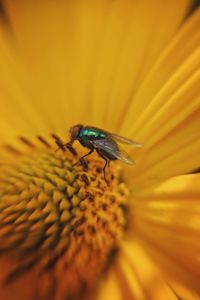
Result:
<point x="174" y="69"/>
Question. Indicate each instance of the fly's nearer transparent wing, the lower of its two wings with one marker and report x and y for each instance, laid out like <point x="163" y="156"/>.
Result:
<point x="107" y="146"/>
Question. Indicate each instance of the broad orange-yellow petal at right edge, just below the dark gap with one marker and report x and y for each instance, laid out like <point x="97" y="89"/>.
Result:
<point x="166" y="220"/>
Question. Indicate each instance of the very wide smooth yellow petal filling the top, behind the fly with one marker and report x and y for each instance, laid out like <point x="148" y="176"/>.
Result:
<point x="86" y="57"/>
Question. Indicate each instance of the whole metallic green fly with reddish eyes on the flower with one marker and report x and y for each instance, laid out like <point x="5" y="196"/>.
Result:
<point x="105" y="143"/>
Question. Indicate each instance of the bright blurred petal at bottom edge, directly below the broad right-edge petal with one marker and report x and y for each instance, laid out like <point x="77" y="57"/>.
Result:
<point x="143" y="278"/>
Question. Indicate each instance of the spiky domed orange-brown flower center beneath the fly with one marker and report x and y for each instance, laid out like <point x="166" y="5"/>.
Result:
<point x="54" y="215"/>
